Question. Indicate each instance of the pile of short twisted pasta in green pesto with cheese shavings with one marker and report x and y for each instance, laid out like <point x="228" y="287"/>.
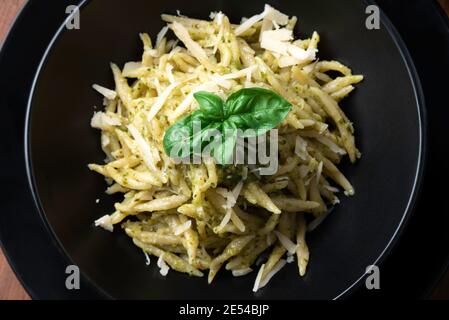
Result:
<point x="199" y="218"/>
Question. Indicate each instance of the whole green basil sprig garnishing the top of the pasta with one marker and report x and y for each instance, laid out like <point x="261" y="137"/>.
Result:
<point x="248" y="112"/>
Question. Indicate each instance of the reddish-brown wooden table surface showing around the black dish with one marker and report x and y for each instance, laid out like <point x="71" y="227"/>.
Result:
<point x="10" y="287"/>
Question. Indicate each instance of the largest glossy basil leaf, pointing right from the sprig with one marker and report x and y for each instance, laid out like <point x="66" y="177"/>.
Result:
<point x="255" y="108"/>
